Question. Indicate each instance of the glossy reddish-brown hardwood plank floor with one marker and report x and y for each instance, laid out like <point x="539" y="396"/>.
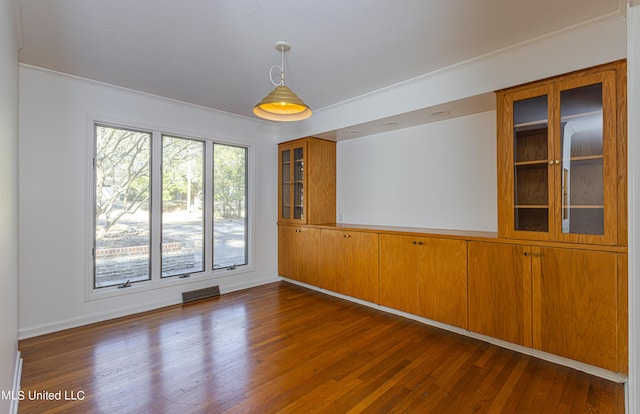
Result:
<point x="284" y="348"/>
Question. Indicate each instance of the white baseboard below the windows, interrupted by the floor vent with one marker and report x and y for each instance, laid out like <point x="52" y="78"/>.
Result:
<point x="25" y="333"/>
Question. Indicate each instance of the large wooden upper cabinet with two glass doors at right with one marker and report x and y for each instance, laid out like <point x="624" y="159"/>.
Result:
<point x="561" y="148"/>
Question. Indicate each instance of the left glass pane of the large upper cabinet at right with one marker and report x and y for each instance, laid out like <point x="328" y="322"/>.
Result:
<point x="531" y="170"/>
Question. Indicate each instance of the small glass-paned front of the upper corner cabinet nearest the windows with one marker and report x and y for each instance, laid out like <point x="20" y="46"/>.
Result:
<point x="292" y="202"/>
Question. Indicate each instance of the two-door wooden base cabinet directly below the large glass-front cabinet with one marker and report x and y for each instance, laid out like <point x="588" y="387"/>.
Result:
<point x="563" y="301"/>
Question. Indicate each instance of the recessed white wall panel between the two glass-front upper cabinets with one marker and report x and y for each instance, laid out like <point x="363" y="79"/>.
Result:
<point x="440" y="175"/>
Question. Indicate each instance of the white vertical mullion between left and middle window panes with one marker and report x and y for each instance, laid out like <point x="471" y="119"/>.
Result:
<point x="156" y="206"/>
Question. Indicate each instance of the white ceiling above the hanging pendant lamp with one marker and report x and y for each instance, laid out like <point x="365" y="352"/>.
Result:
<point x="217" y="53"/>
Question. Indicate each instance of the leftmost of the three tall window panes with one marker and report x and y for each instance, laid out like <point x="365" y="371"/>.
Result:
<point x="122" y="206"/>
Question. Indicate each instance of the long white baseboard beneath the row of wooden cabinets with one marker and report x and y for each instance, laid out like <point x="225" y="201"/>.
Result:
<point x="580" y="366"/>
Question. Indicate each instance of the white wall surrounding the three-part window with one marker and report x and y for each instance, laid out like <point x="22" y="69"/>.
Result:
<point x="53" y="117"/>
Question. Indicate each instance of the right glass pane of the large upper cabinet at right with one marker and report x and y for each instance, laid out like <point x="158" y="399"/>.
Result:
<point x="581" y="129"/>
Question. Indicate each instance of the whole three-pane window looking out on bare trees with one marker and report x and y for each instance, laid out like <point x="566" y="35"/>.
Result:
<point x="153" y="196"/>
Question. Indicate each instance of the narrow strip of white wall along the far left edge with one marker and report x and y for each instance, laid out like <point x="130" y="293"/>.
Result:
<point x="9" y="198"/>
